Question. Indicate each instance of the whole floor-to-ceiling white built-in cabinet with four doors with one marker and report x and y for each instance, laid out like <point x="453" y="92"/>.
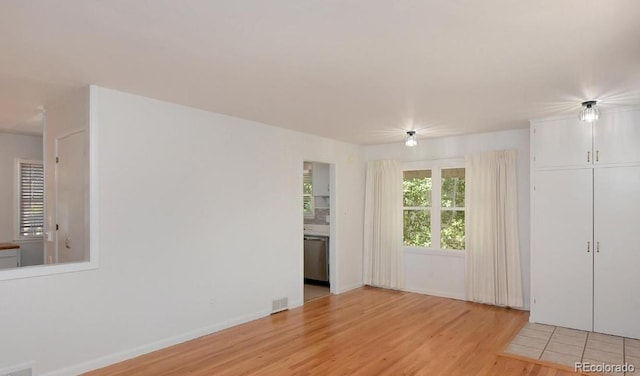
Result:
<point x="584" y="224"/>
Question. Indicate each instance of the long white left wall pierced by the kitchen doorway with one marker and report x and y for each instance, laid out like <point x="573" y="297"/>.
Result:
<point x="200" y="228"/>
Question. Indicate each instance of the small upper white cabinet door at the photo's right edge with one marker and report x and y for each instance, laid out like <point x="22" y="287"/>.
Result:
<point x="616" y="137"/>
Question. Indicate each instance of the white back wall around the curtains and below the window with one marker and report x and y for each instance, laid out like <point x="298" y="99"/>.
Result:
<point x="439" y="273"/>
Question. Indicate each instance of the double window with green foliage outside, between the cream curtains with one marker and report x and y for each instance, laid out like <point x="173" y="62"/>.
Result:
<point x="433" y="204"/>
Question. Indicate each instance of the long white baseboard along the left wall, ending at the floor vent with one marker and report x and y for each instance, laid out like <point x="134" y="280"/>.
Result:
<point x="145" y="349"/>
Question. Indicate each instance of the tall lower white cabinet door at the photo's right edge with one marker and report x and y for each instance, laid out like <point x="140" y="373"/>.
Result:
<point x="617" y="257"/>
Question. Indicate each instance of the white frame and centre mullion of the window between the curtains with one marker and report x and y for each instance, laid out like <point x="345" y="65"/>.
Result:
<point x="436" y="167"/>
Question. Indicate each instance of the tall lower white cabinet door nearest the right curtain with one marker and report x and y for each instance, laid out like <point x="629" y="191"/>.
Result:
<point x="562" y="222"/>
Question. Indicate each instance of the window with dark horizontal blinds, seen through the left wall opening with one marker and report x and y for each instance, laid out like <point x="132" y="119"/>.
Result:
<point x="30" y="199"/>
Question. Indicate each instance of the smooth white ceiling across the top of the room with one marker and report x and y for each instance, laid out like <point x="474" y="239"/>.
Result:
<point x="361" y="71"/>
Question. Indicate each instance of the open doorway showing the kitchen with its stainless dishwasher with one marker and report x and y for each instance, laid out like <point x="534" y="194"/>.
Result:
<point x="317" y="252"/>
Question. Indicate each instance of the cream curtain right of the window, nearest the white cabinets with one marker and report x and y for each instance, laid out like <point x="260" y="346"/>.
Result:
<point x="492" y="250"/>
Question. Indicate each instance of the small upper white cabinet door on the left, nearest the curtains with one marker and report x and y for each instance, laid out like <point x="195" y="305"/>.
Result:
<point x="562" y="143"/>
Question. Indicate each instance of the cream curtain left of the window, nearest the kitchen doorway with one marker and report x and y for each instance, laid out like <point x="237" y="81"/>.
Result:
<point x="383" y="258"/>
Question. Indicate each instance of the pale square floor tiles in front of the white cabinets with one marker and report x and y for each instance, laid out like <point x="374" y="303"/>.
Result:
<point x="568" y="346"/>
